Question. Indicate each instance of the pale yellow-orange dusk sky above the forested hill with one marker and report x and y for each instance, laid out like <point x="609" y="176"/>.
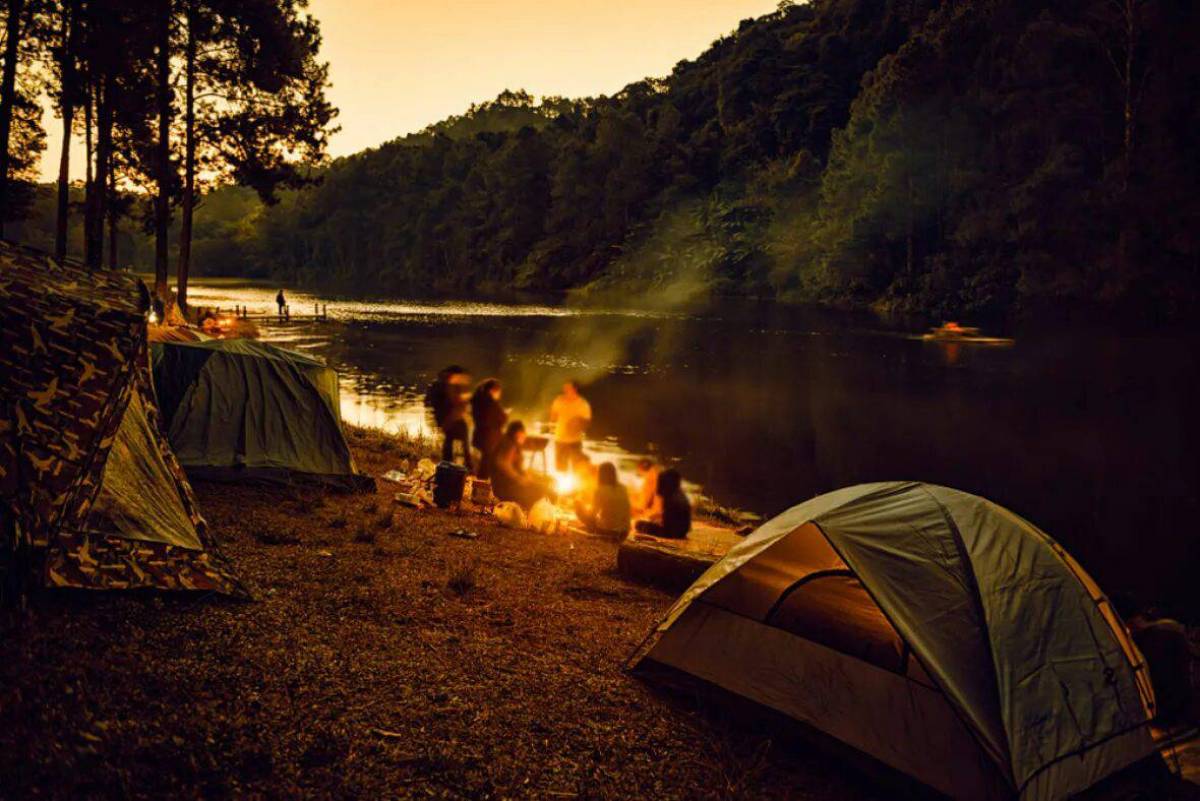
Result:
<point x="400" y="65"/>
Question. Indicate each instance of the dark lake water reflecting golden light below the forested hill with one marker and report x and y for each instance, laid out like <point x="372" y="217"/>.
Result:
<point x="1090" y="436"/>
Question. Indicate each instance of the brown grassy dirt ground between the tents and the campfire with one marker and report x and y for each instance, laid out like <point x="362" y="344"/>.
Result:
<point x="381" y="659"/>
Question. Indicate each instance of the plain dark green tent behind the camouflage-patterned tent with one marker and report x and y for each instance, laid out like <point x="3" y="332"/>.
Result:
<point x="241" y="409"/>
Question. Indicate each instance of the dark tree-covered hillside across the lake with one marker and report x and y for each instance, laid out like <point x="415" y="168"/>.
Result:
<point x="953" y="158"/>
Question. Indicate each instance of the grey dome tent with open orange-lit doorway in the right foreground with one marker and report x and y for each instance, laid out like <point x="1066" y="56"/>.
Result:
<point x="929" y="629"/>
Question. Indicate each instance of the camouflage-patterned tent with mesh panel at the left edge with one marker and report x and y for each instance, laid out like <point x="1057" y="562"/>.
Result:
<point x="91" y="495"/>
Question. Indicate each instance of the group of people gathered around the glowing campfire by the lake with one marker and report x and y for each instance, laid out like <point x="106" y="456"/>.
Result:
<point x="659" y="508"/>
